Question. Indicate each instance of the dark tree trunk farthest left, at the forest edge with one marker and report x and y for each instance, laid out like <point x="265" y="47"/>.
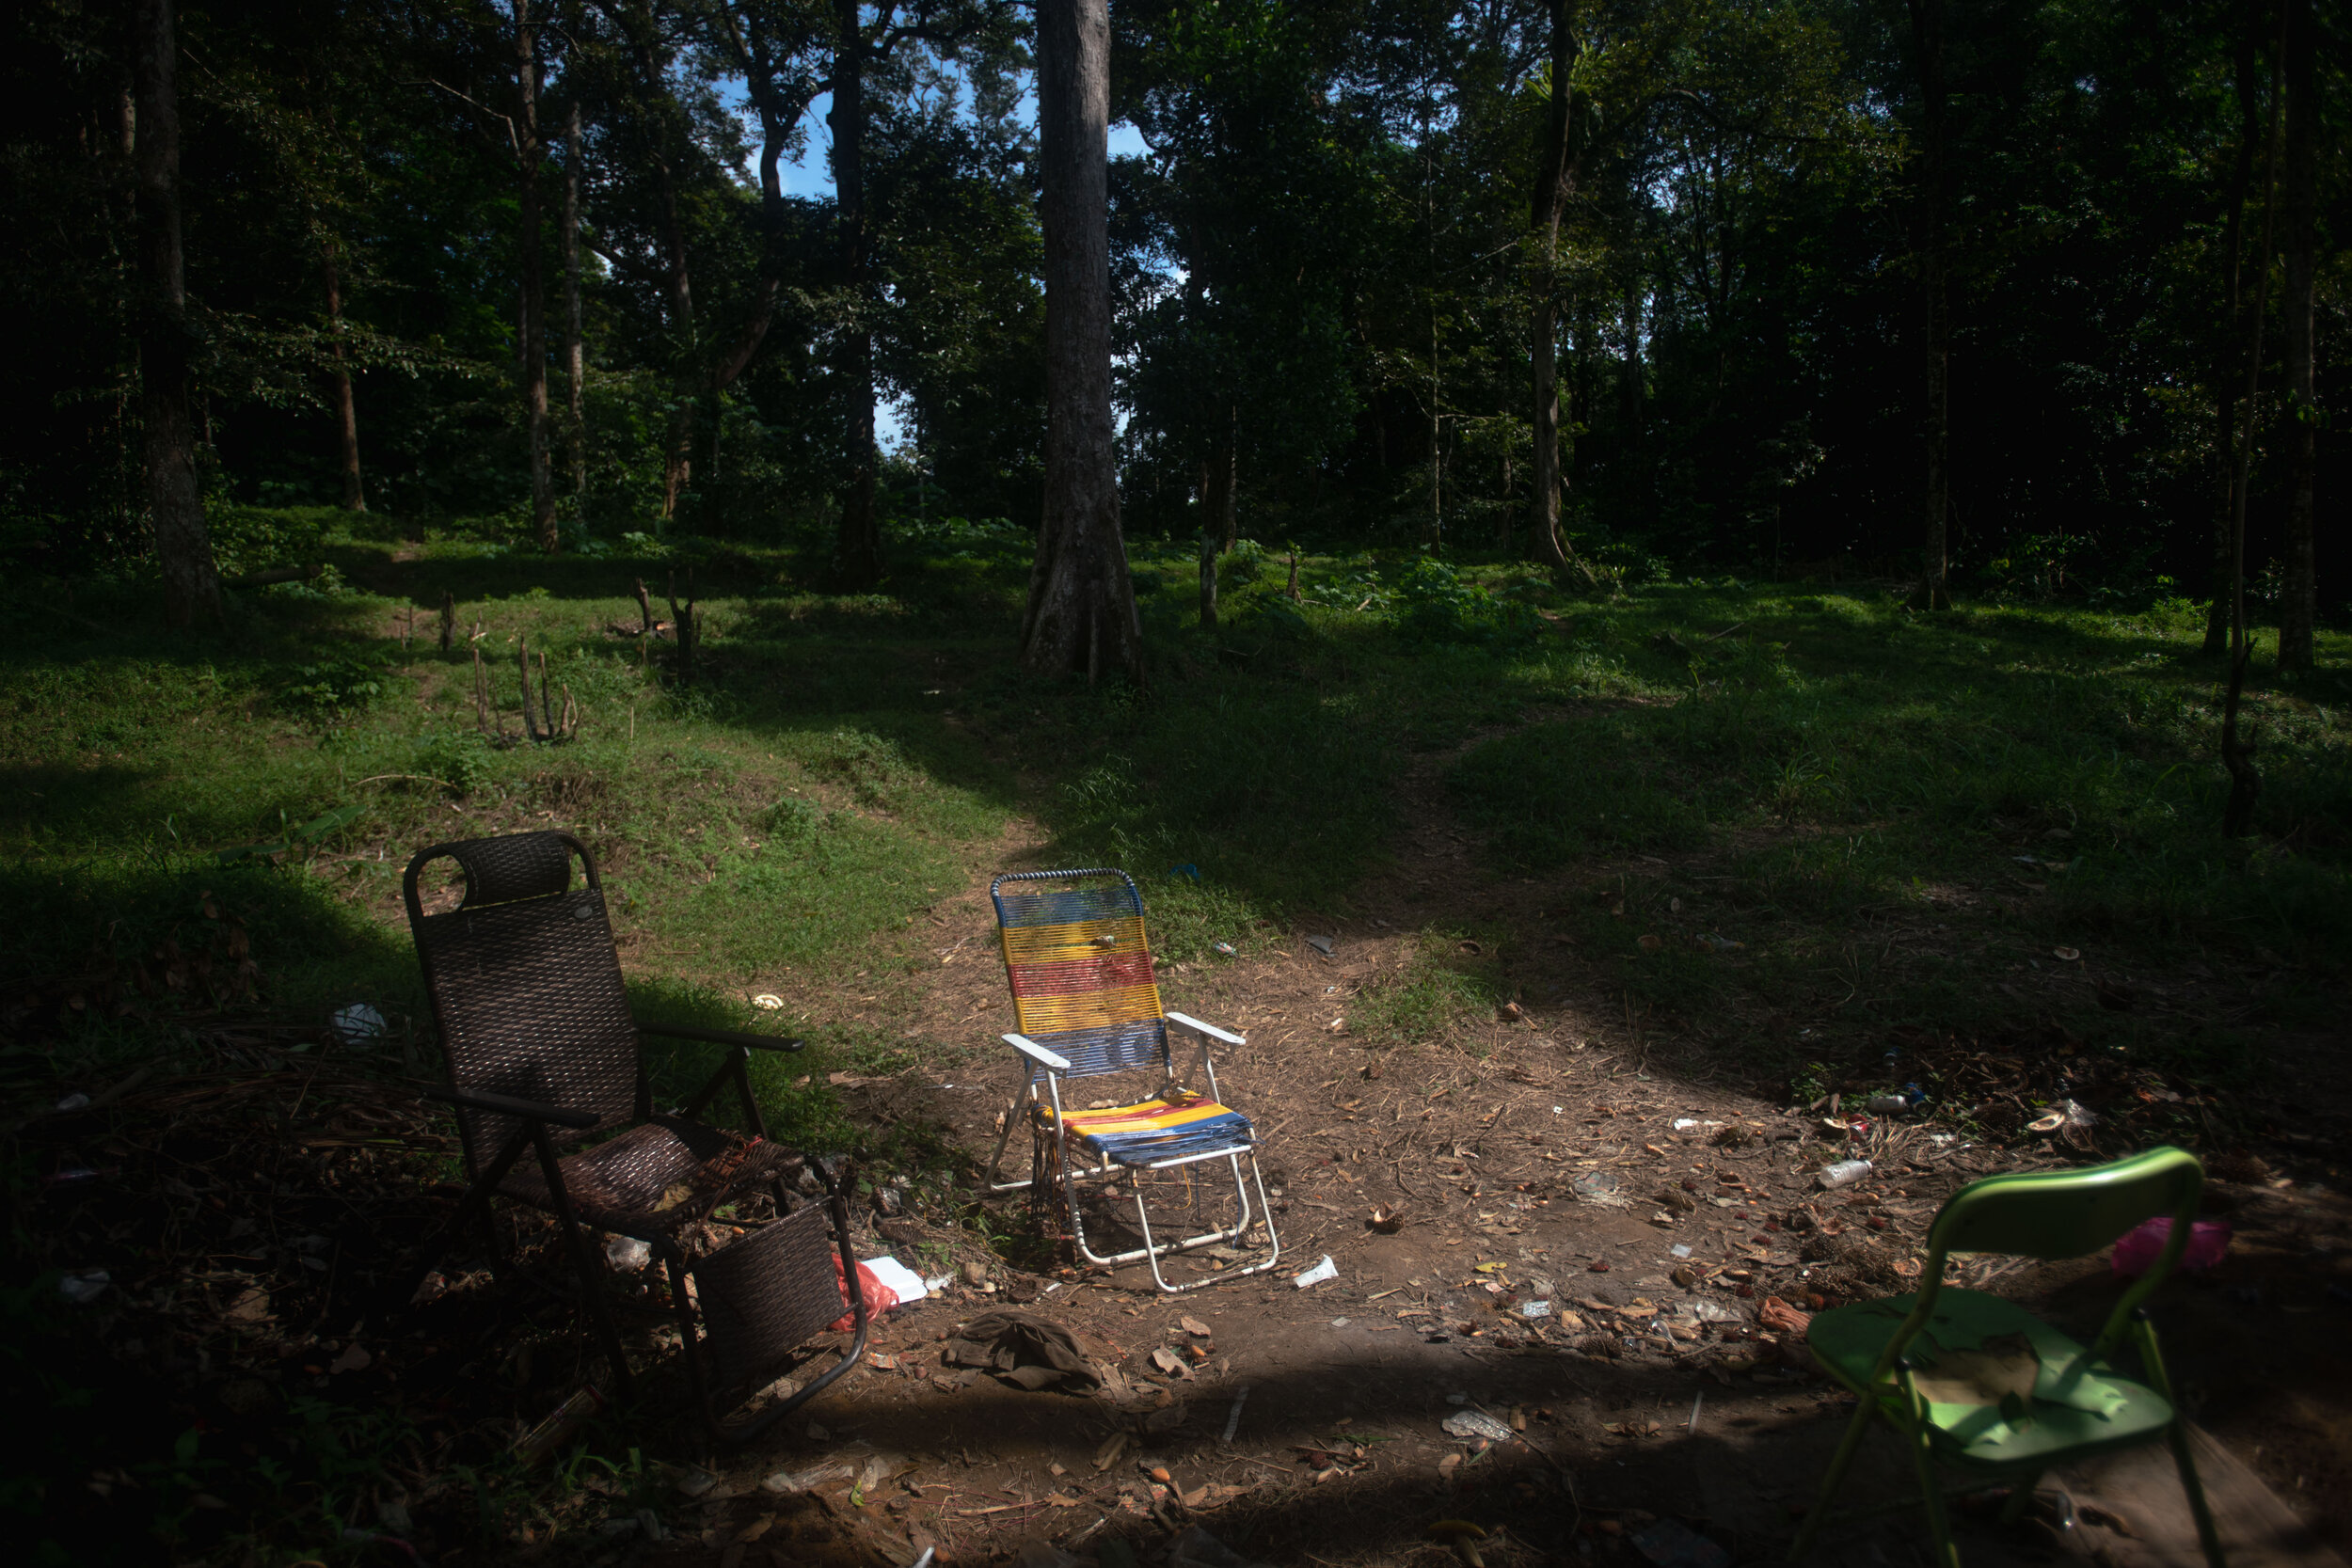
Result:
<point x="192" y="584"/>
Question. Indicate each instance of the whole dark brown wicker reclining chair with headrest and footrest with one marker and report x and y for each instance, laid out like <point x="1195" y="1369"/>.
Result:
<point x="537" y="1036"/>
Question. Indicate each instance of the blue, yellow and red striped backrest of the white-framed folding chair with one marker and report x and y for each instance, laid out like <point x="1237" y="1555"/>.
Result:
<point x="1083" y="970"/>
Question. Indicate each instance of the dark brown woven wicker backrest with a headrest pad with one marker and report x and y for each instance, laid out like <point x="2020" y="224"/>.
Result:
<point x="526" y="986"/>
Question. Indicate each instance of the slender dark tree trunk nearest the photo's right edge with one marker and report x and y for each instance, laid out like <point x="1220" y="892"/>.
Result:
<point x="2299" y="203"/>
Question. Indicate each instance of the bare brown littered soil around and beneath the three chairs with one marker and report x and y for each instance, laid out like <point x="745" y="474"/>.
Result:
<point x="1617" y="1167"/>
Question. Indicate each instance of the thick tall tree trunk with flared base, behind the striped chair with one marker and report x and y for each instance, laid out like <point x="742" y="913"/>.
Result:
<point x="1083" y="605"/>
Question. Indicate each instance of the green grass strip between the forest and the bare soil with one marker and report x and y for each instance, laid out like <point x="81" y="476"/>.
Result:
<point x="1796" y="768"/>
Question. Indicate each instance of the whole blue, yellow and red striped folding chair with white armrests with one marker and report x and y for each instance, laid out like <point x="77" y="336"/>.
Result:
<point x="1088" y="1007"/>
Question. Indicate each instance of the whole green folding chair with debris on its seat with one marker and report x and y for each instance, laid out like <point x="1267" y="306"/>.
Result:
<point x="1984" y="1386"/>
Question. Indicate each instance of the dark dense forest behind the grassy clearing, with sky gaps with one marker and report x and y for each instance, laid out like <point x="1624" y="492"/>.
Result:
<point x="1323" y="274"/>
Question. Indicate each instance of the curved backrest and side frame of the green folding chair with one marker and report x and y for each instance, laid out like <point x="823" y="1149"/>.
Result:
<point x="2062" y="1214"/>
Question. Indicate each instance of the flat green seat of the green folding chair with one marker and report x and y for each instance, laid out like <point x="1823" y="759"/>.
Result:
<point x="1977" y="1358"/>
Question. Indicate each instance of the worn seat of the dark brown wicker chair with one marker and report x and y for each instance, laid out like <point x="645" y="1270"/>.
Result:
<point x="653" y="1179"/>
